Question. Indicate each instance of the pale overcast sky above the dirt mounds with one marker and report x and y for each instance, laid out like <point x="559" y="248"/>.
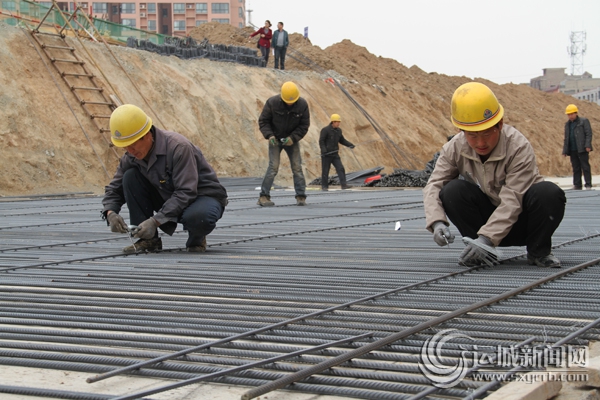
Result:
<point x="503" y="40"/>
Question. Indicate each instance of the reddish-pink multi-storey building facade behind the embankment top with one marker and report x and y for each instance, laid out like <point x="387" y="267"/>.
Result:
<point x="170" y="17"/>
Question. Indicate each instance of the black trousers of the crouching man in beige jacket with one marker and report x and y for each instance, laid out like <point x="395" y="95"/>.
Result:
<point x="543" y="209"/>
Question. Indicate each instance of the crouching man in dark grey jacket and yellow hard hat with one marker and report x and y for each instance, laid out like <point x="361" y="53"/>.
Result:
<point x="164" y="179"/>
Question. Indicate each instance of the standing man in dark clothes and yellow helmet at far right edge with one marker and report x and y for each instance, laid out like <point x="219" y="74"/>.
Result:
<point x="577" y="145"/>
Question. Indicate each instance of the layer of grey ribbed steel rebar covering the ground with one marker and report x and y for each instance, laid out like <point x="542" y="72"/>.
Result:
<point x="69" y="297"/>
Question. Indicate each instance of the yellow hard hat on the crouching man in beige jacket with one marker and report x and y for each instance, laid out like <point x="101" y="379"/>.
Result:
<point x="475" y="107"/>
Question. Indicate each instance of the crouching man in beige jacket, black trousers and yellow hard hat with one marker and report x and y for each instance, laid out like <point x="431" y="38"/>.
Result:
<point x="502" y="200"/>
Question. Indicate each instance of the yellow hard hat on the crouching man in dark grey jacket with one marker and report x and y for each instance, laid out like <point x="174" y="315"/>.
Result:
<point x="128" y="124"/>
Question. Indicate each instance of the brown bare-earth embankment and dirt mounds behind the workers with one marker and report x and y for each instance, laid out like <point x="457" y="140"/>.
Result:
<point x="51" y="146"/>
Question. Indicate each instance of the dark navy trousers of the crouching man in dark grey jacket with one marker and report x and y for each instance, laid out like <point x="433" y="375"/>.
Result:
<point x="199" y="218"/>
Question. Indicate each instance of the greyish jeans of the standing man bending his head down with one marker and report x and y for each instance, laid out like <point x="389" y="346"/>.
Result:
<point x="293" y="153"/>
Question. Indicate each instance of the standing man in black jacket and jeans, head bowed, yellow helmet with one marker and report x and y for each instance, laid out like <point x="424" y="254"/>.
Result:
<point x="284" y="121"/>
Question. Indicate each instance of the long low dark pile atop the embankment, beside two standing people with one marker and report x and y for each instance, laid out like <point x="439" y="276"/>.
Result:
<point x="188" y="48"/>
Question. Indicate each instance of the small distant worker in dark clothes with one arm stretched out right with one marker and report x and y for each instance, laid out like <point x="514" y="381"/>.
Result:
<point x="330" y="137"/>
